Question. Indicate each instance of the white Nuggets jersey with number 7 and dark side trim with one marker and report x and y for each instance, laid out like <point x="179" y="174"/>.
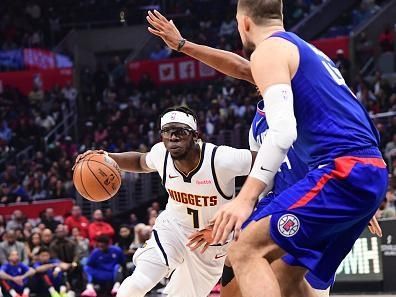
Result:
<point x="195" y="198"/>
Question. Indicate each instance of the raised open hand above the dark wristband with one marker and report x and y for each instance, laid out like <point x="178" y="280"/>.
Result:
<point x="164" y="29"/>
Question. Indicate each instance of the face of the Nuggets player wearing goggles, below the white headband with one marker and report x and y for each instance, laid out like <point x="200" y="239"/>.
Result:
<point x="178" y="139"/>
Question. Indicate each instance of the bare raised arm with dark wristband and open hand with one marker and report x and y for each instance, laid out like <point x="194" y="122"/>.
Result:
<point x="225" y="62"/>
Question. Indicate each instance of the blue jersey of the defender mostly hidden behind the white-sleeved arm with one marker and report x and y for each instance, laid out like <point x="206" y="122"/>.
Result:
<point x="292" y="169"/>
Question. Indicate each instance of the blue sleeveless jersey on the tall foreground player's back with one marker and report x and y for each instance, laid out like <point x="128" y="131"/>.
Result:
<point x="331" y="122"/>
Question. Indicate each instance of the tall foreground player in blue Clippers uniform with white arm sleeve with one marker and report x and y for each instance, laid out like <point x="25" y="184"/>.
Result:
<point x="318" y="219"/>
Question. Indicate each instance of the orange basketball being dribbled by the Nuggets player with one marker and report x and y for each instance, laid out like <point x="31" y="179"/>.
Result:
<point x="97" y="177"/>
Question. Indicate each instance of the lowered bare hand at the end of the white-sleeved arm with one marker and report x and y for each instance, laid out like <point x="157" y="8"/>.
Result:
<point x="231" y="218"/>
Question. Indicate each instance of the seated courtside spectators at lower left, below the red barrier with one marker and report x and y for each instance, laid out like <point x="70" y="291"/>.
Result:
<point x="58" y="256"/>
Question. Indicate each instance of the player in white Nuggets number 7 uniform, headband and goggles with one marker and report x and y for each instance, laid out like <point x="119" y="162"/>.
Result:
<point x="199" y="178"/>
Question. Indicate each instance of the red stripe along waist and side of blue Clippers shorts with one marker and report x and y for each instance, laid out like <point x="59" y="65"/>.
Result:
<point x="343" y="167"/>
